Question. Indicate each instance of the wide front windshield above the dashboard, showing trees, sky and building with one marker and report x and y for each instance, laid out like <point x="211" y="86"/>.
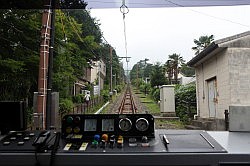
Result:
<point x="97" y="51"/>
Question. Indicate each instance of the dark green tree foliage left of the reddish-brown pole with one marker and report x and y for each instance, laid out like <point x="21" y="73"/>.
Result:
<point x="19" y="45"/>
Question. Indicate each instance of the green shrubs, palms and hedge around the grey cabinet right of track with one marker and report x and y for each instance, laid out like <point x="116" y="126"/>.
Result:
<point x="185" y="95"/>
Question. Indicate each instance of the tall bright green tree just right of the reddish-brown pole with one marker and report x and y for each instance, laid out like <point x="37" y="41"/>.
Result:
<point x="81" y="48"/>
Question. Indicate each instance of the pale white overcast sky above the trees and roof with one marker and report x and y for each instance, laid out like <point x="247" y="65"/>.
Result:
<point x="155" y="33"/>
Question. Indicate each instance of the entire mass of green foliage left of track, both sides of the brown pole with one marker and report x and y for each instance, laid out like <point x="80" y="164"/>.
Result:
<point x="78" y="42"/>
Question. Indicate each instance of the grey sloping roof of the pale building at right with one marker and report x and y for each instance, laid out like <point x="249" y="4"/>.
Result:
<point x="239" y="40"/>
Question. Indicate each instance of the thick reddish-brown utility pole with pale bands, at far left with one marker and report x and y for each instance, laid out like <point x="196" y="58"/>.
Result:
<point x="40" y="112"/>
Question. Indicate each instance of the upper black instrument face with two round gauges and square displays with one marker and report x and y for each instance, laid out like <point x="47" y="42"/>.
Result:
<point x="127" y="125"/>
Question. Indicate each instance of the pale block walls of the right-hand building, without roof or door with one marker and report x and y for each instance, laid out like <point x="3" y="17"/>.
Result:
<point x="232" y="71"/>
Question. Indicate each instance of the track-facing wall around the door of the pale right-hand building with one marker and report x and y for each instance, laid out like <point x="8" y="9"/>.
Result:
<point x="216" y="67"/>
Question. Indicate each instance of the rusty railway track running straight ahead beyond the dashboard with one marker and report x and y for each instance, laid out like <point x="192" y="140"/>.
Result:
<point x="127" y="105"/>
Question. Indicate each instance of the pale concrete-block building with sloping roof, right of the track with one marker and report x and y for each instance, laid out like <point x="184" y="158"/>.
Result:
<point x="222" y="77"/>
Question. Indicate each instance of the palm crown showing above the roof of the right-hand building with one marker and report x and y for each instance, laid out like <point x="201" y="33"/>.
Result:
<point x="202" y="43"/>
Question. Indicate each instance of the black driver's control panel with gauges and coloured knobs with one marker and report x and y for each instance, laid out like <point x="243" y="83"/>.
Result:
<point x="107" y="132"/>
